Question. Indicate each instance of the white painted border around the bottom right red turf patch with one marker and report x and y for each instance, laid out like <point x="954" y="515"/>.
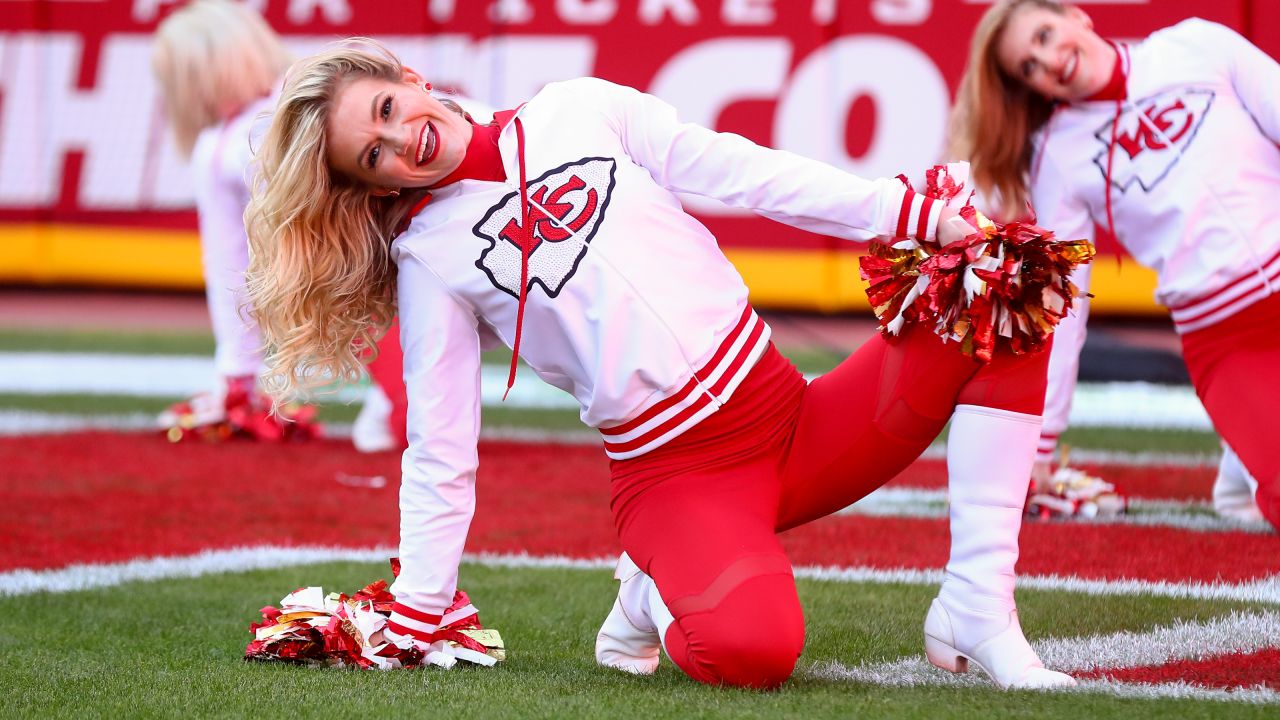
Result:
<point x="1238" y="632"/>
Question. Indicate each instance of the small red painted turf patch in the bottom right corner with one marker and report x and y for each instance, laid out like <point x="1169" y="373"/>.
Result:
<point x="1226" y="672"/>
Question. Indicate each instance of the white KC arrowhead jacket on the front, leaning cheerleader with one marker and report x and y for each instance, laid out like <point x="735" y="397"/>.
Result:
<point x="632" y="307"/>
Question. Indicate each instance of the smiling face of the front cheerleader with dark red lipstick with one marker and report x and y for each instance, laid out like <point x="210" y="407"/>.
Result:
<point x="395" y="135"/>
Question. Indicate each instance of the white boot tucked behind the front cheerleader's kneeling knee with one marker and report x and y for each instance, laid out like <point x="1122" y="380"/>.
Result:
<point x="633" y="634"/>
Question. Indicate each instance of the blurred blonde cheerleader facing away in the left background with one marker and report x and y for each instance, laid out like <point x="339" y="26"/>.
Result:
<point x="218" y="66"/>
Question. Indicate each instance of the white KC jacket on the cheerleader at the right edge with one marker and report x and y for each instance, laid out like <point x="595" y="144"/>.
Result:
<point x="1195" y="183"/>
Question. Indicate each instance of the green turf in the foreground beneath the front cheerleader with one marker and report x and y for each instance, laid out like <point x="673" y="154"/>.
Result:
<point x="173" y="649"/>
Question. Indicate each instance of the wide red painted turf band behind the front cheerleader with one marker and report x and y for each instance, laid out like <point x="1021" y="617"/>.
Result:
<point x="103" y="498"/>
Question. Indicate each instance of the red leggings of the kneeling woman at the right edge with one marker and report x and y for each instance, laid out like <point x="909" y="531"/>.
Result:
<point x="1236" y="368"/>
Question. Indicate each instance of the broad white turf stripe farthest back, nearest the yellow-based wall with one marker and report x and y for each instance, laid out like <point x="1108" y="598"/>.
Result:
<point x="1141" y="405"/>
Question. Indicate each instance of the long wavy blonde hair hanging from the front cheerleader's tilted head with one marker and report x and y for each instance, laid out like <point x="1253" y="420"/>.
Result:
<point x="321" y="280"/>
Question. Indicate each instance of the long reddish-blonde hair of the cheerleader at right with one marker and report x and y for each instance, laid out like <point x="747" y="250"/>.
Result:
<point x="996" y="116"/>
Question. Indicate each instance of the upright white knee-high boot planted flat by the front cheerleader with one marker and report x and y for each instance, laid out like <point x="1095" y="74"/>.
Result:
<point x="990" y="457"/>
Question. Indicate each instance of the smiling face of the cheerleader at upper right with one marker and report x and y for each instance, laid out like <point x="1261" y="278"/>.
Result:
<point x="1057" y="56"/>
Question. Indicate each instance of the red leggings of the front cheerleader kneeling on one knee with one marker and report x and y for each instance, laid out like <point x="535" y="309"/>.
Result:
<point x="701" y="516"/>
